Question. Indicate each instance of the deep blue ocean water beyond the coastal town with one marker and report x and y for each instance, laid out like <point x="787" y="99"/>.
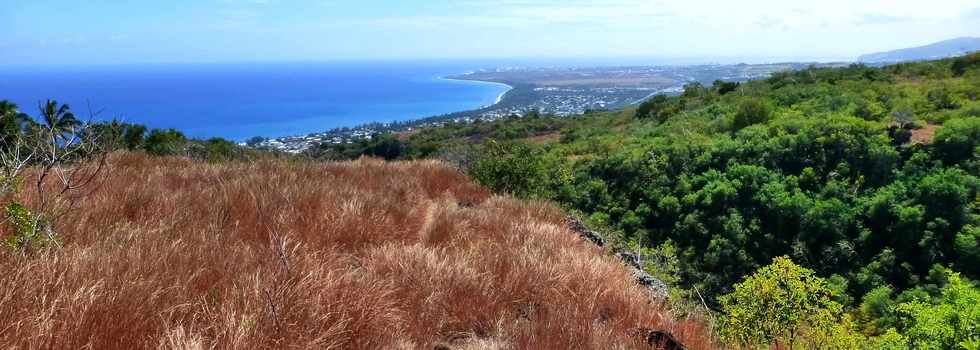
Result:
<point x="237" y="101"/>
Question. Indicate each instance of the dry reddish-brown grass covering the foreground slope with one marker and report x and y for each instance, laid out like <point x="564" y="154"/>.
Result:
<point x="178" y="254"/>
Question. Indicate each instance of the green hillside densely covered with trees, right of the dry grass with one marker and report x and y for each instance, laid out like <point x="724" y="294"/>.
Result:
<point x="867" y="177"/>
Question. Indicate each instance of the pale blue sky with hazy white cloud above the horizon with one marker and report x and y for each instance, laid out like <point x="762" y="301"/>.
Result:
<point x="147" y="31"/>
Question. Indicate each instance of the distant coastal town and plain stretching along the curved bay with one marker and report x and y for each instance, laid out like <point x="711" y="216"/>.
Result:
<point x="561" y="91"/>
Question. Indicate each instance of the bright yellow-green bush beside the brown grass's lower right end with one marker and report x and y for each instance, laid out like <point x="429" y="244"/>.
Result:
<point x="784" y="304"/>
